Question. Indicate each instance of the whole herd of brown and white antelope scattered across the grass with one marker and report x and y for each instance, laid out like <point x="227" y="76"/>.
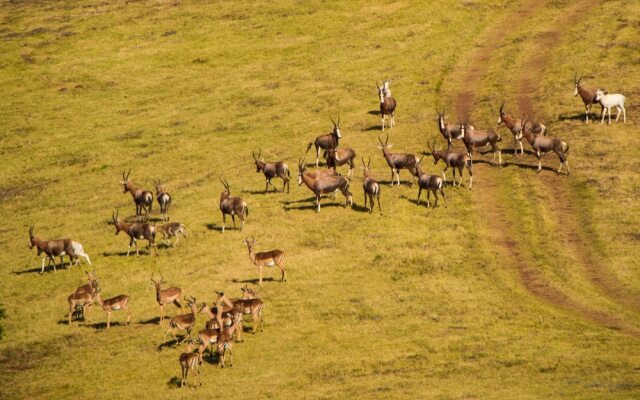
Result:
<point x="225" y="316"/>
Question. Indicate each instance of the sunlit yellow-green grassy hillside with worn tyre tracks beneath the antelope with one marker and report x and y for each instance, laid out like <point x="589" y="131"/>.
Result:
<point x="525" y="287"/>
